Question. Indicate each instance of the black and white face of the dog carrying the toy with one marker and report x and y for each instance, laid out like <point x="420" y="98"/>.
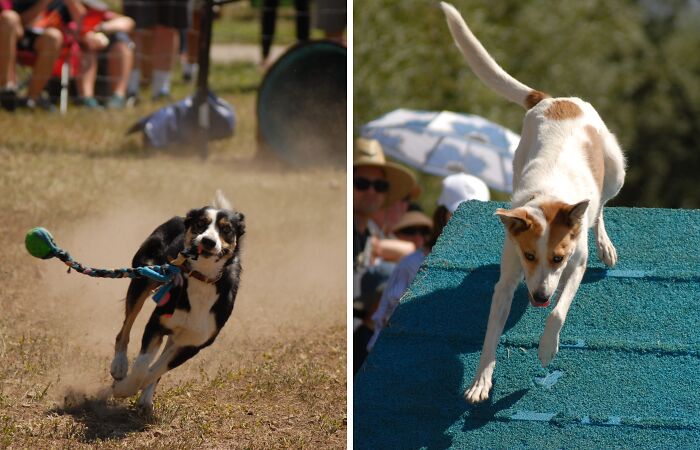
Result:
<point x="212" y="231"/>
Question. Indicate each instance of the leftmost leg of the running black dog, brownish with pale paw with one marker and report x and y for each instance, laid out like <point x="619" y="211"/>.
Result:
<point x="136" y="295"/>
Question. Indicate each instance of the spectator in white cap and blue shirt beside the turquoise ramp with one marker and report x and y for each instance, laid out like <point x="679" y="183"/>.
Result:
<point x="455" y="190"/>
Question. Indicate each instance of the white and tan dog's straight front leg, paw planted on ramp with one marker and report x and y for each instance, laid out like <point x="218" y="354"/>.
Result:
<point x="511" y="275"/>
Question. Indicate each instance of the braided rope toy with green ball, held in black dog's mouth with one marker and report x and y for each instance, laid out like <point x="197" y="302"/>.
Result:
<point x="40" y="244"/>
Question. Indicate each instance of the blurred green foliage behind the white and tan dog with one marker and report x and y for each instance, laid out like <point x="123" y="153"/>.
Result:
<point x="634" y="61"/>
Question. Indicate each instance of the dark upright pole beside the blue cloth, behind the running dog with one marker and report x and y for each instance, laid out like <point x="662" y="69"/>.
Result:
<point x="200" y="100"/>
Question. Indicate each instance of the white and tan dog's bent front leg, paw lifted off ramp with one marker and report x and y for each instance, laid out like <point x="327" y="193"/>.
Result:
<point x="571" y="279"/>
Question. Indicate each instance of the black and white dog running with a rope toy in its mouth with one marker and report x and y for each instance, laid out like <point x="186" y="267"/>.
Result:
<point x="207" y="242"/>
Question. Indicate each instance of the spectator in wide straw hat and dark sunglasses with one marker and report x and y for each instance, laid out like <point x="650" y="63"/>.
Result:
<point x="377" y="184"/>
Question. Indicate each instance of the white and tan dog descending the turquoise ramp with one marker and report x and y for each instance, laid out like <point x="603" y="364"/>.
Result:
<point x="566" y="167"/>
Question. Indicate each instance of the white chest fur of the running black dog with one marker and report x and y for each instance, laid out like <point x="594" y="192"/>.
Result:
<point x="196" y="326"/>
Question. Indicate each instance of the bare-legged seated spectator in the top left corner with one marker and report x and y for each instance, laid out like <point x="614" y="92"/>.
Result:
<point x="19" y="31"/>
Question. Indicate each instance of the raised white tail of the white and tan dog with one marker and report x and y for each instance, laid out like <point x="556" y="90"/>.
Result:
<point x="484" y="65"/>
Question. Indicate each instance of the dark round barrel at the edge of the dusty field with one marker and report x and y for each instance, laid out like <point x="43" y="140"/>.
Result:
<point x="302" y="105"/>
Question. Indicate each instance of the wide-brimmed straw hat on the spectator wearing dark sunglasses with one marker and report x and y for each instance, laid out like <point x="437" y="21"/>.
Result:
<point x="369" y="153"/>
